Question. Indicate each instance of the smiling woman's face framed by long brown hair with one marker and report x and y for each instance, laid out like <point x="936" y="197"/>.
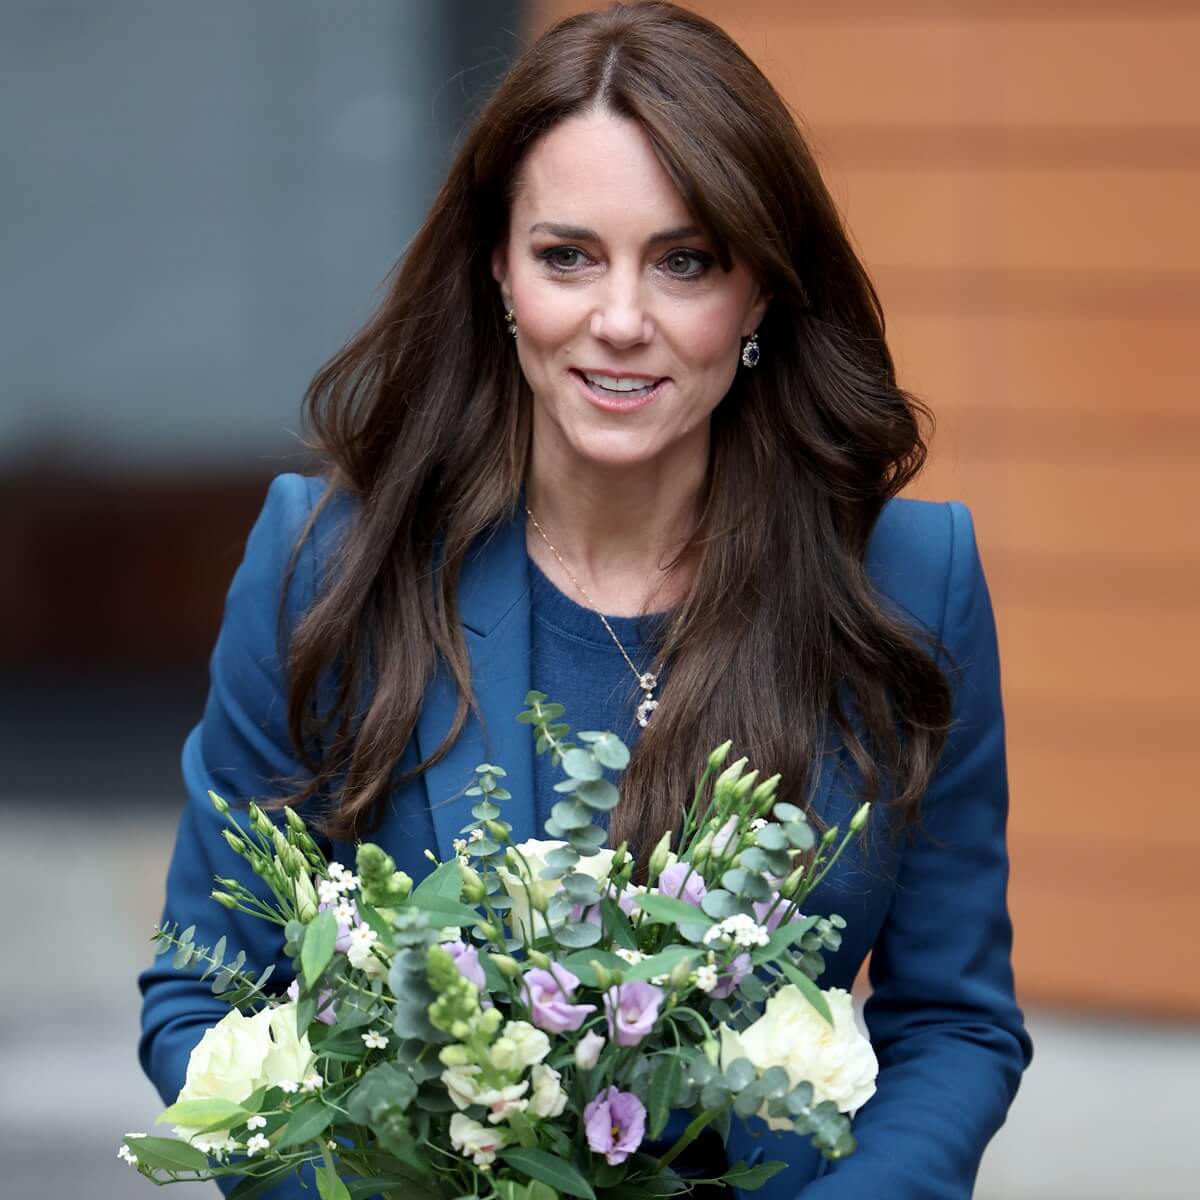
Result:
<point x="629" y="331"/>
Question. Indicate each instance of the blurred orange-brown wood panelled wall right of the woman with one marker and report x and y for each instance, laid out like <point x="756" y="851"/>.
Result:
<point x="1023" y="181"/>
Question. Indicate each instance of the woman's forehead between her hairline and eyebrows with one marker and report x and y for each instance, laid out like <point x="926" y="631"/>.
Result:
<point x="599" y="171"/>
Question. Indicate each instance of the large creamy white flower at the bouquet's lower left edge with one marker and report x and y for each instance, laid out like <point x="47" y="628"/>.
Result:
<point x="239" y="1055"/>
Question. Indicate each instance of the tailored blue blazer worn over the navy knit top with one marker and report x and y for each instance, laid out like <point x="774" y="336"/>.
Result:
<point x="932" y="913"/>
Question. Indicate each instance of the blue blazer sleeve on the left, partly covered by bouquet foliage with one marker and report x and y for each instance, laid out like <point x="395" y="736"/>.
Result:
<point x="241" y="751"/>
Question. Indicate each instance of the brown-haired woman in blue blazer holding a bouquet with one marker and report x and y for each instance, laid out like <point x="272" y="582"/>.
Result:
<point x="627" y="430"/>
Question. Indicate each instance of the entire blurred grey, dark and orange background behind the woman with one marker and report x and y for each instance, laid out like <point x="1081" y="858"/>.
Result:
<point x="201" y="203"/>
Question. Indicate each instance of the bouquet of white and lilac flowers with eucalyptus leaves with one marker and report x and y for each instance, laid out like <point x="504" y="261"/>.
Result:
<point x="529" y="1022"/>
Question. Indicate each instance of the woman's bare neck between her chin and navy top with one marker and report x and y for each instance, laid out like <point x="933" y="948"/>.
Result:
<point x="617" y="529"/>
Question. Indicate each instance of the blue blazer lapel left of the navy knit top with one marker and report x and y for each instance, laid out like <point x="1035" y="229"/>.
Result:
<point x="494" y="605"/>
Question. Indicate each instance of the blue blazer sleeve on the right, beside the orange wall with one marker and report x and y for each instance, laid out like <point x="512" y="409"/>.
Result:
<point x="943" y="1017"/>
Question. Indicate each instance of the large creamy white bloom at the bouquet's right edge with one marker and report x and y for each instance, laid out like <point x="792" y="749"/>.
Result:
<point x="837" y="1060"/>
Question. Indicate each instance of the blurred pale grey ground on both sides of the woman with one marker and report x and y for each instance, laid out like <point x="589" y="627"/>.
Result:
<point x="1107" y="1112"/>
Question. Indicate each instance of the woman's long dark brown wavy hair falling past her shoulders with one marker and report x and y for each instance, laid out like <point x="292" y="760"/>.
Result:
<point x="424" y="418"/>
